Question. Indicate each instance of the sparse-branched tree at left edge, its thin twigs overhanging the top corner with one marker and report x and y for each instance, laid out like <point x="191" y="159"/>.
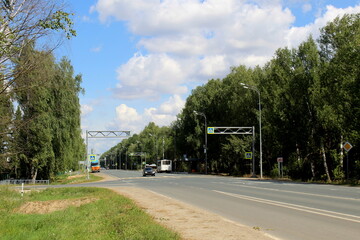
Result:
<point x="22" y="22"/>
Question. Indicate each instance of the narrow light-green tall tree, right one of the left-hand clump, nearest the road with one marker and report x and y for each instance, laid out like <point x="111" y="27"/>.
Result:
<point x="67" y="142"/>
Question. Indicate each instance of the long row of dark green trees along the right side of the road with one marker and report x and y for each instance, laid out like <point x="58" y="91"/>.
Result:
<point x="310" y="102"/>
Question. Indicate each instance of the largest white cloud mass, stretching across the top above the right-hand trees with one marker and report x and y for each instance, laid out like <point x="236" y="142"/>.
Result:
<point x="187" y="41"/>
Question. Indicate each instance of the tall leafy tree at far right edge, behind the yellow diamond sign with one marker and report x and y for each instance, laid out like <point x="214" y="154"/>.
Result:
<point x="340" y="50"/>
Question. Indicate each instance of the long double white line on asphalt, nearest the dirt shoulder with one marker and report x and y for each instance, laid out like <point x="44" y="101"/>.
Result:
<point x="317" y="211"/>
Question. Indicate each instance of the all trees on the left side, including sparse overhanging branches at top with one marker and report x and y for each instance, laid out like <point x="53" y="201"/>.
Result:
<point x="40" y="133"/>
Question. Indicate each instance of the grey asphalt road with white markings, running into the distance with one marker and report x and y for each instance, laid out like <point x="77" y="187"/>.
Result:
<point x="285" y="210"/>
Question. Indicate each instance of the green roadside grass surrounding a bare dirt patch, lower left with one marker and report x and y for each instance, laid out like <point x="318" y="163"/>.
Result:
<point x="112" y="216"/>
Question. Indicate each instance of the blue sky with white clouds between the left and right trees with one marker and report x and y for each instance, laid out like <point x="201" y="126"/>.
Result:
<point x="140" y="59"/>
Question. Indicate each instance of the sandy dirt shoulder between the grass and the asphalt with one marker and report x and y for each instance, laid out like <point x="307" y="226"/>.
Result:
<point x="190" y="222"/>
